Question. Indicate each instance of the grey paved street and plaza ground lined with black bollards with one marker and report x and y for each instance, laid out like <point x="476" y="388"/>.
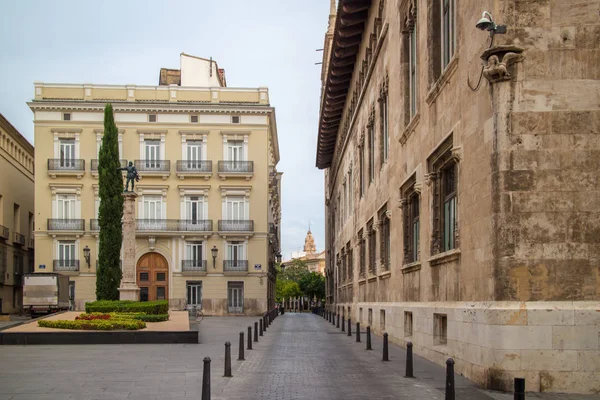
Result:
<point x="301" y="356"/>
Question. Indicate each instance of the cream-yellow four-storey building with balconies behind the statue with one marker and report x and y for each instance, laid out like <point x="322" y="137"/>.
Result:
<point x="207" y="156"/>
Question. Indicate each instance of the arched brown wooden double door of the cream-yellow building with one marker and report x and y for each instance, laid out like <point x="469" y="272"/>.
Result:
<point x="152" y="277"/>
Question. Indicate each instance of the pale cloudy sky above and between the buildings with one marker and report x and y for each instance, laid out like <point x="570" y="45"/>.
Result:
<point x="258" y="43"/>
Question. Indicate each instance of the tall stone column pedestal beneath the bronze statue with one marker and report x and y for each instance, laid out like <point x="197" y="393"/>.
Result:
<point x="129" y="289"/>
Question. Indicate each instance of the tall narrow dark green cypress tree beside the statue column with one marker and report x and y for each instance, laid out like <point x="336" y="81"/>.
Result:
<point x="110" y="183"/>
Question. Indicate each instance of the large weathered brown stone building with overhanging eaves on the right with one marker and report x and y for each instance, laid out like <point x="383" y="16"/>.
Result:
<point x="466" y="220"/>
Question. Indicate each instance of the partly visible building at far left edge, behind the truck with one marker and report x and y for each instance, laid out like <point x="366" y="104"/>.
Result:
<point x="16" y="215"/>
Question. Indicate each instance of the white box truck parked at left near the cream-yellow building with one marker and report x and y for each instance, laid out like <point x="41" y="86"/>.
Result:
<point x="45" y="293"/>
